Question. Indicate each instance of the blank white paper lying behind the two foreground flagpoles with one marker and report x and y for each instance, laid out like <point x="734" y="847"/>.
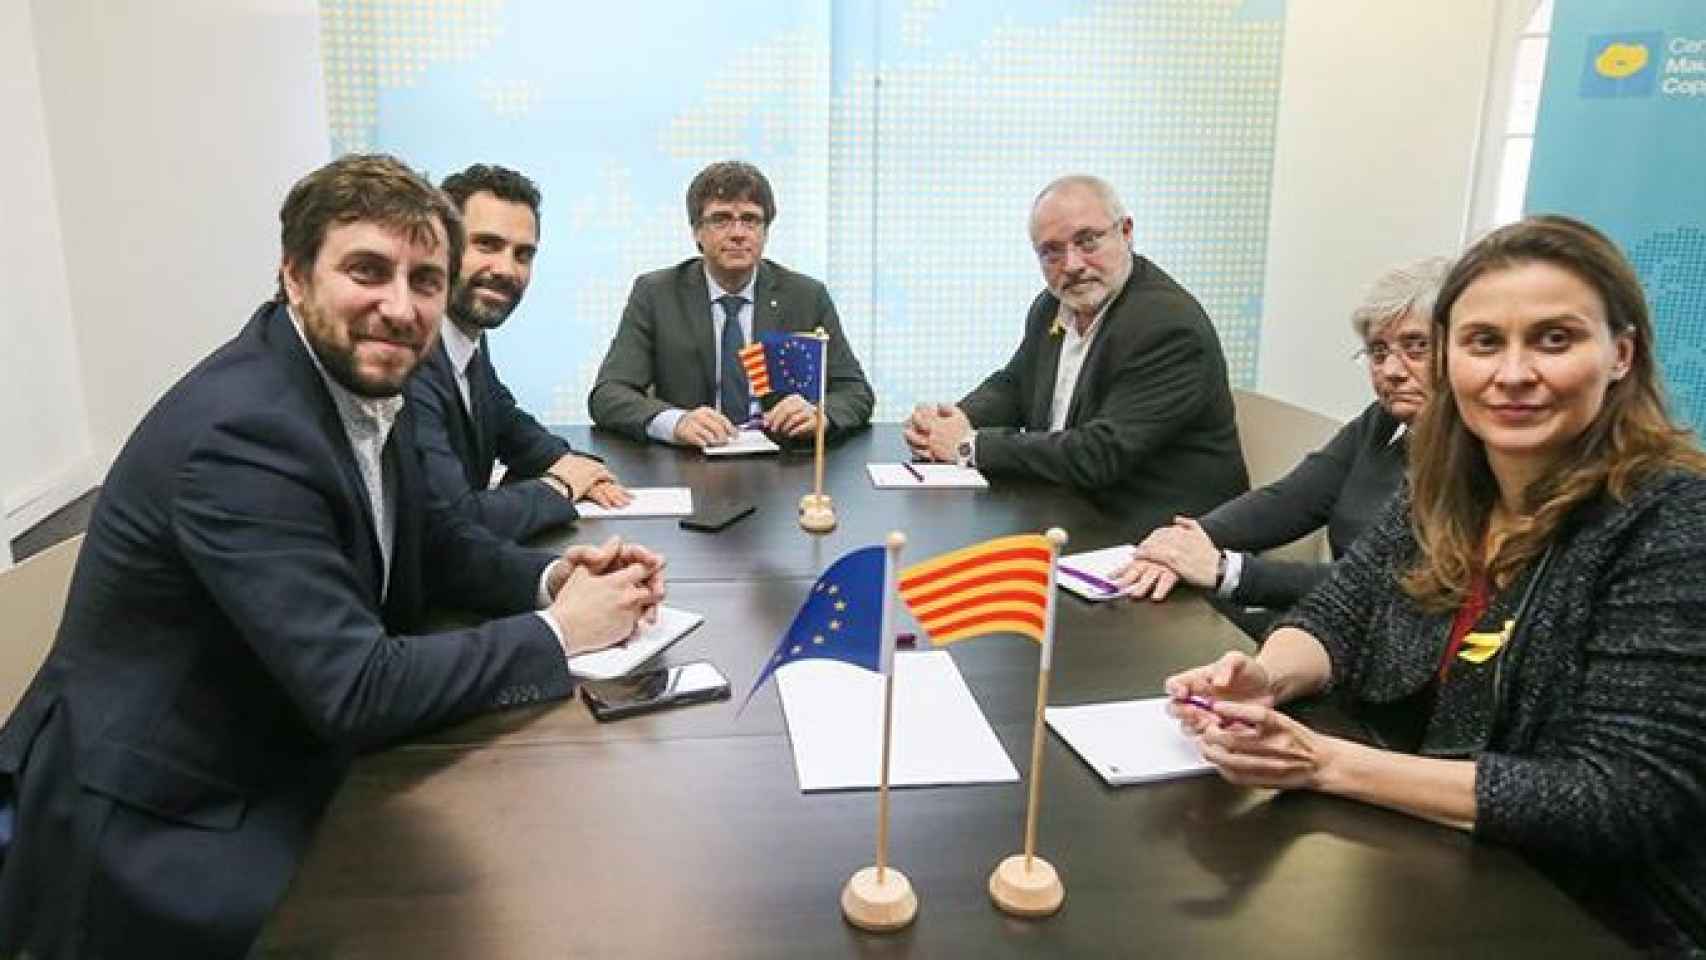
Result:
<point x="835" y="722"/>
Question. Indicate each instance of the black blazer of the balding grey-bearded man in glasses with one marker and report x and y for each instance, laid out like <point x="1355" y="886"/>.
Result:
<point x="1151" y="431"/>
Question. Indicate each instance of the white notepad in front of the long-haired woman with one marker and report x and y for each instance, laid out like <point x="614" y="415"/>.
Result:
<point x="1129" y="741"/>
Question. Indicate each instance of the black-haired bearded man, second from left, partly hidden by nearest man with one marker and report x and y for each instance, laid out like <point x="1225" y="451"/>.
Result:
<point x="465" y="415"/>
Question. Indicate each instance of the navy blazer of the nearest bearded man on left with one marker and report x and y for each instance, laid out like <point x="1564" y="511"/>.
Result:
<point x="226" y="651"/>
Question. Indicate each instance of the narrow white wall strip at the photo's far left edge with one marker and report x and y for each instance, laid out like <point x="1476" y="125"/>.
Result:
<point x="44" y="427"/>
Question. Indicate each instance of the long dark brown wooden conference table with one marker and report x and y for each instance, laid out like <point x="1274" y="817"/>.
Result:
<point x="542" y="833"/>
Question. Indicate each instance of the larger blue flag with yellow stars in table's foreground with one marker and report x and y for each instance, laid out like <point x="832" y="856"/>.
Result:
<point x="842" y="618"/>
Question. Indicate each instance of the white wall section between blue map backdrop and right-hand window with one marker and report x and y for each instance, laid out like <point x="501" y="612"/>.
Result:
<point x="1379" y="127"/>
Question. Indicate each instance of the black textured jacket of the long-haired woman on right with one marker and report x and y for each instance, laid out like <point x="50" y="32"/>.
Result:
<point x="1596" y="761"/>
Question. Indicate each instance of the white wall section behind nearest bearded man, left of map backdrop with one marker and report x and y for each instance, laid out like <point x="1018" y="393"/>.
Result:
<point x="175" y="130"/>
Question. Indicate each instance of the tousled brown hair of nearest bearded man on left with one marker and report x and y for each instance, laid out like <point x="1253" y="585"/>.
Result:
<point x="364" y="187"/>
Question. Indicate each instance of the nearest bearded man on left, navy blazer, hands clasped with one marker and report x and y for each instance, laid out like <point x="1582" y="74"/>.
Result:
<point x="247" y="606"/>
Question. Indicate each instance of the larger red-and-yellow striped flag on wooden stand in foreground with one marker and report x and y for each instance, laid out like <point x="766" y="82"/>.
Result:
<point x="999" y="586"/>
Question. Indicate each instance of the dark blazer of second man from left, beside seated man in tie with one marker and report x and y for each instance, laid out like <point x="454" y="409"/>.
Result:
<point x="458" y="449"/>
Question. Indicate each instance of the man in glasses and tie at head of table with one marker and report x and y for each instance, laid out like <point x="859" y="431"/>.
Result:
<point x="673" y="373"/>
